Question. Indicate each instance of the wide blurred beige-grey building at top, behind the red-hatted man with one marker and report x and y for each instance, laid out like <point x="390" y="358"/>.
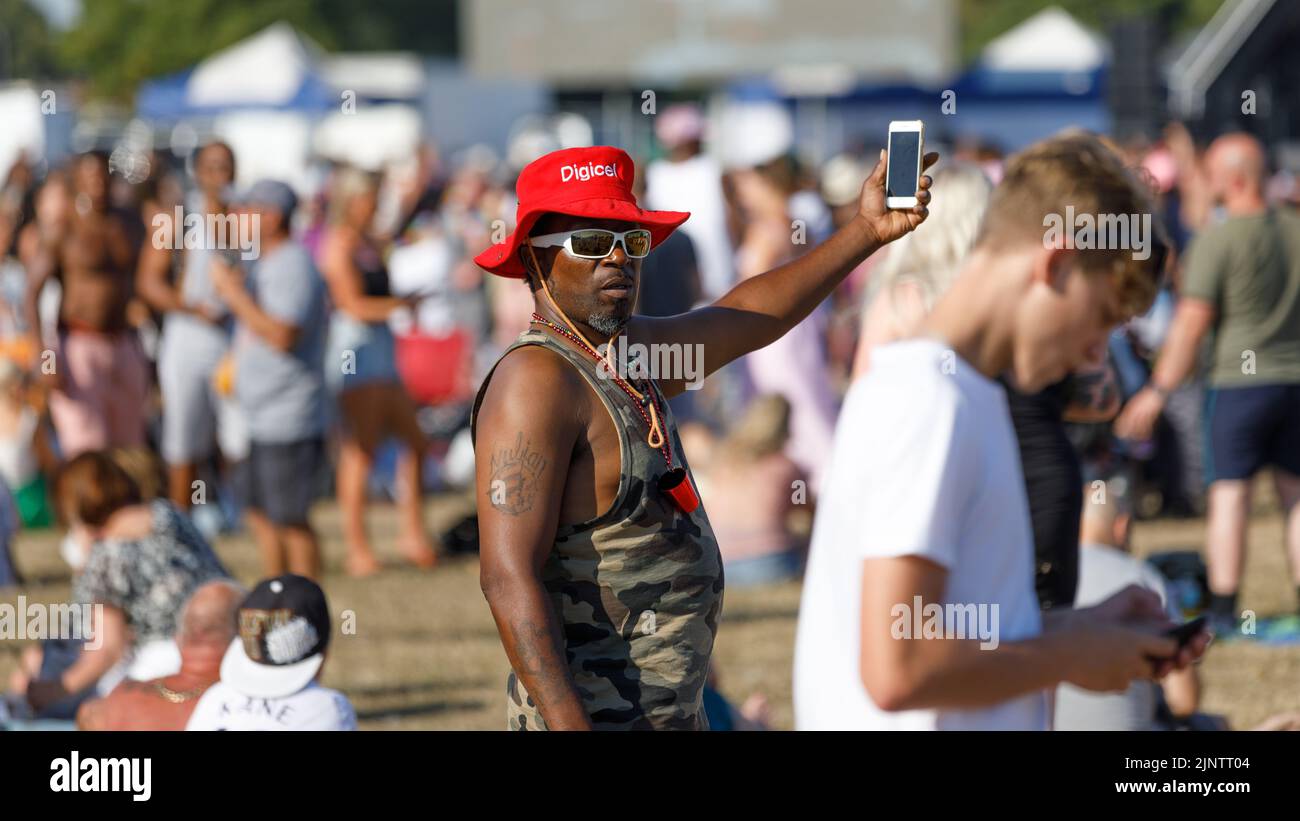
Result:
<point x="805" y="49"/>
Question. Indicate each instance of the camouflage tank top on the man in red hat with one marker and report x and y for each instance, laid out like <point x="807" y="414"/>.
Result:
<point x="638" y="590"/>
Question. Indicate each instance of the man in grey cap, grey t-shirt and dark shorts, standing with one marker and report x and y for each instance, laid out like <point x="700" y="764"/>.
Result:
<point x="279" y="379"/>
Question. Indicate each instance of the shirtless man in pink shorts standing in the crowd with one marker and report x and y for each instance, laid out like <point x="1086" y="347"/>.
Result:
<point x="99" y="372"/>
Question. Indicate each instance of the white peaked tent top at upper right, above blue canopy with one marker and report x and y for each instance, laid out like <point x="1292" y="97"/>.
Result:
<point x="1051" y="41"/>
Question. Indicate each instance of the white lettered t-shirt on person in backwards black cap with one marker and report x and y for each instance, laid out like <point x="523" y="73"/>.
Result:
<point x="311" y="709"/>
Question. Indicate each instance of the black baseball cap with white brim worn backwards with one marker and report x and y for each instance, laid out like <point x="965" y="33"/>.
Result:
<point x="284" y="631"/>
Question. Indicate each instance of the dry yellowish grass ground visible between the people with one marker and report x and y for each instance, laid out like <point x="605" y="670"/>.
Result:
<point x="426" y="655"/>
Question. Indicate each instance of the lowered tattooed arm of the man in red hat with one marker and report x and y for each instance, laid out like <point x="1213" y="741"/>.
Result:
<point x="525" y="448"/>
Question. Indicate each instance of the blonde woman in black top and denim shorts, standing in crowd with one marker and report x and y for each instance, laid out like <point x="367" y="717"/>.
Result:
<point x="362" y="370"/>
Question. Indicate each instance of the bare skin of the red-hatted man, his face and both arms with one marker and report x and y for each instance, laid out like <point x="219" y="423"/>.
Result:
<point x="556" y="458"/>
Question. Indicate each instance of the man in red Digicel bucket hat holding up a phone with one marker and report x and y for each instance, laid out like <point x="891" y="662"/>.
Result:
<point x="597" y="558"/>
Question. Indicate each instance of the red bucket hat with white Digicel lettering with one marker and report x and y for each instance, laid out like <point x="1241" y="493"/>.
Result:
<point x="580" y="183"/>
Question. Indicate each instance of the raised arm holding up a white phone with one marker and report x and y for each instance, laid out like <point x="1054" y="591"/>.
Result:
<point x="761" y="310"/>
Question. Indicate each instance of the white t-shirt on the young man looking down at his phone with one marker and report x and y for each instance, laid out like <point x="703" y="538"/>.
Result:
<point x="925" y="464"/>
